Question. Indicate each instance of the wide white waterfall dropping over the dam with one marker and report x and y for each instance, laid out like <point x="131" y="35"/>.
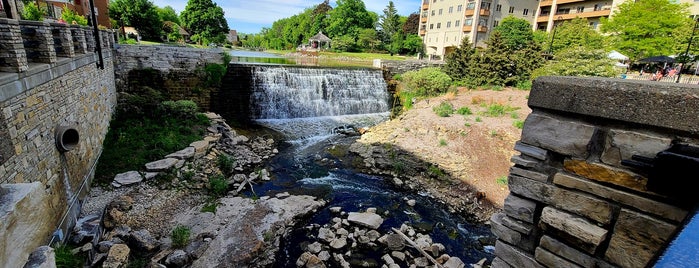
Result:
<point x="284" y="92"/>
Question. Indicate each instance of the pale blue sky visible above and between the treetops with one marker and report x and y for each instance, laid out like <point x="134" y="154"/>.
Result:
<point x="252" y="16"/>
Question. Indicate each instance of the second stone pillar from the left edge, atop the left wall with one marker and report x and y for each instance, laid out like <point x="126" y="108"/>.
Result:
<point x="38" y="41"/>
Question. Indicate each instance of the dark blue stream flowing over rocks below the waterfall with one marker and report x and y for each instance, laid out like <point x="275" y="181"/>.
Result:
<point x="304" y="166"/>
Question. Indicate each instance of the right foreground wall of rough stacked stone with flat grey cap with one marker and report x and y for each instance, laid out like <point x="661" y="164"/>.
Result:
<point x="574" y="200"/>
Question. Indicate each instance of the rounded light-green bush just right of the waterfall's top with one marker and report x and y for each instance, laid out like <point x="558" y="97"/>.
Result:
<point x="429" y="81"/>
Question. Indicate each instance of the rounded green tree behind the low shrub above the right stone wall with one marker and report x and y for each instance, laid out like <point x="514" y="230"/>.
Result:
<point x="574" y="33"/>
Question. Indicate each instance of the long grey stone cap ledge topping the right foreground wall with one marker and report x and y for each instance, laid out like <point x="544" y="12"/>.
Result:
<point x="666" y="105"/>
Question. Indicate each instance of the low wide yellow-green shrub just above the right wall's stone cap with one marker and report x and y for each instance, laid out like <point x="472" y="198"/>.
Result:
<point x="579" y="61"/>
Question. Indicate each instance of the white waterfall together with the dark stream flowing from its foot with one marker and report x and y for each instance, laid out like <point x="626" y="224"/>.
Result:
<point x="306" y="105"/>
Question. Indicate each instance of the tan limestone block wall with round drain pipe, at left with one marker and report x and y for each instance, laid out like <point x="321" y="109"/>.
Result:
<point x="61" y="86"/>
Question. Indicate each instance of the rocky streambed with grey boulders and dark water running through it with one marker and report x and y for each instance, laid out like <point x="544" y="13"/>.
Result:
<point x="273" y="215"/>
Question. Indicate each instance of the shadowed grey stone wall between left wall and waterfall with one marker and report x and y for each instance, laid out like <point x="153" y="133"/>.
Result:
<point x="176" y="71"/>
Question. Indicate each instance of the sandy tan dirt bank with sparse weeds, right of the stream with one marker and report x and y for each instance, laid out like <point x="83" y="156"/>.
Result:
<point x="474" y="149"/>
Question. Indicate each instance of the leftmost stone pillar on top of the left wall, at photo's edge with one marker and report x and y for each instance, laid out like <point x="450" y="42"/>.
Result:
<point x="13" y="58"/>
